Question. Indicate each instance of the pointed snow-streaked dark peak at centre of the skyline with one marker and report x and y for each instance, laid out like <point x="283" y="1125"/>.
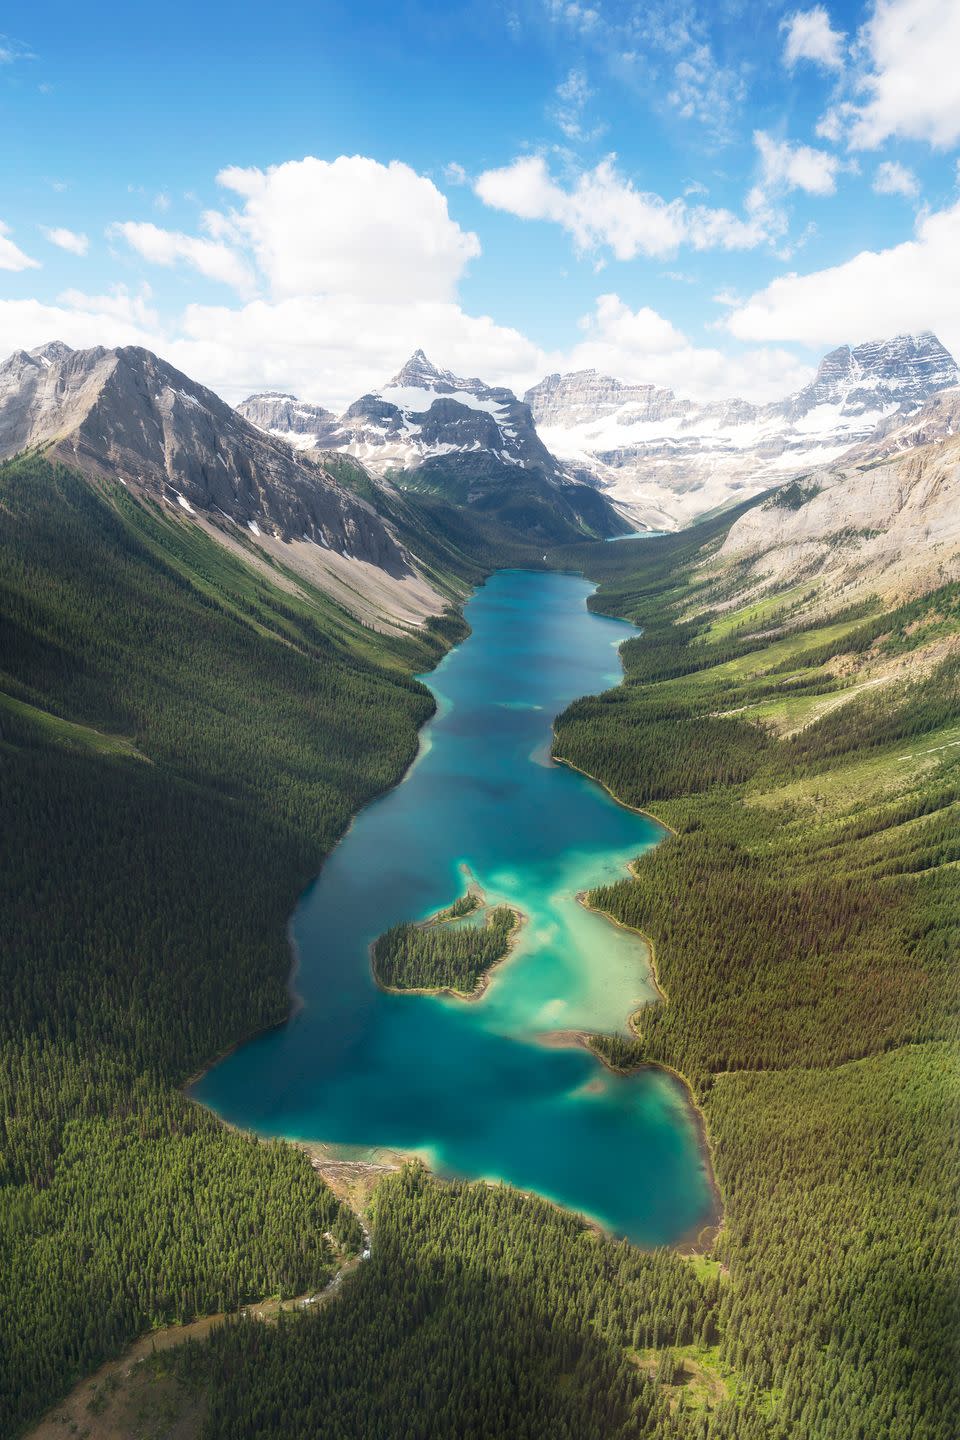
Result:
<point x="422" y="413"/>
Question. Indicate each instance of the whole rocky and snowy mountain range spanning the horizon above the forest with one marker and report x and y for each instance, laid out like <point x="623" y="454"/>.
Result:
<point x="373" y="505"/>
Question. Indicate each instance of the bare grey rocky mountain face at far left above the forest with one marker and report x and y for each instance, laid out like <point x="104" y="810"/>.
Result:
<point x="130" y="415"/>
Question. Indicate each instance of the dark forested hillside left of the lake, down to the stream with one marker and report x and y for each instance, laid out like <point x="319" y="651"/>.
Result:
<point x="182" y="739"/>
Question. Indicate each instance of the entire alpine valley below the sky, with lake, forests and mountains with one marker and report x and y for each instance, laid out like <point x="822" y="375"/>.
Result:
<point x="610" y="1091"/>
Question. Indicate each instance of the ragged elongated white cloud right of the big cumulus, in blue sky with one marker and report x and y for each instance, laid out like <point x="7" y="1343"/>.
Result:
<point x="604" y="208"/>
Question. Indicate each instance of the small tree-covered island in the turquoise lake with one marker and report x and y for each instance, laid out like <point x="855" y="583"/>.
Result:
<point x="450" y="953"/>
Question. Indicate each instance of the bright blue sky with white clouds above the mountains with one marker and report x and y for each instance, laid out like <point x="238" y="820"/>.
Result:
<point x="287" y="197"/>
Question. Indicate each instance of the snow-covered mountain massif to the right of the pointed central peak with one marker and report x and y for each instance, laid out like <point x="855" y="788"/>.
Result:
<point x="669" y="460"/>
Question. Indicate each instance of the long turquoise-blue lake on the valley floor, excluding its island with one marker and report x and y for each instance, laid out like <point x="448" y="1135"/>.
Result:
<point x="471" y="1086"/>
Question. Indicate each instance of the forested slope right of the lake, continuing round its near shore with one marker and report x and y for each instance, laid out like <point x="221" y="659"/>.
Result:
<point x="805" y="924"/>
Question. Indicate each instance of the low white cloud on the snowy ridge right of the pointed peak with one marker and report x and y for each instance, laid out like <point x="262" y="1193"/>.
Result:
<point x="646" y="348"/>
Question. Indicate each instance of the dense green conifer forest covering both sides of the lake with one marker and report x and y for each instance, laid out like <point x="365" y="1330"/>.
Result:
<point x="184" y="738"/>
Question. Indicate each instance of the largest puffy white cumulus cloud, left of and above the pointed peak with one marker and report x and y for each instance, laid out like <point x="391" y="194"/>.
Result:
<point x="350" y="227"/>
